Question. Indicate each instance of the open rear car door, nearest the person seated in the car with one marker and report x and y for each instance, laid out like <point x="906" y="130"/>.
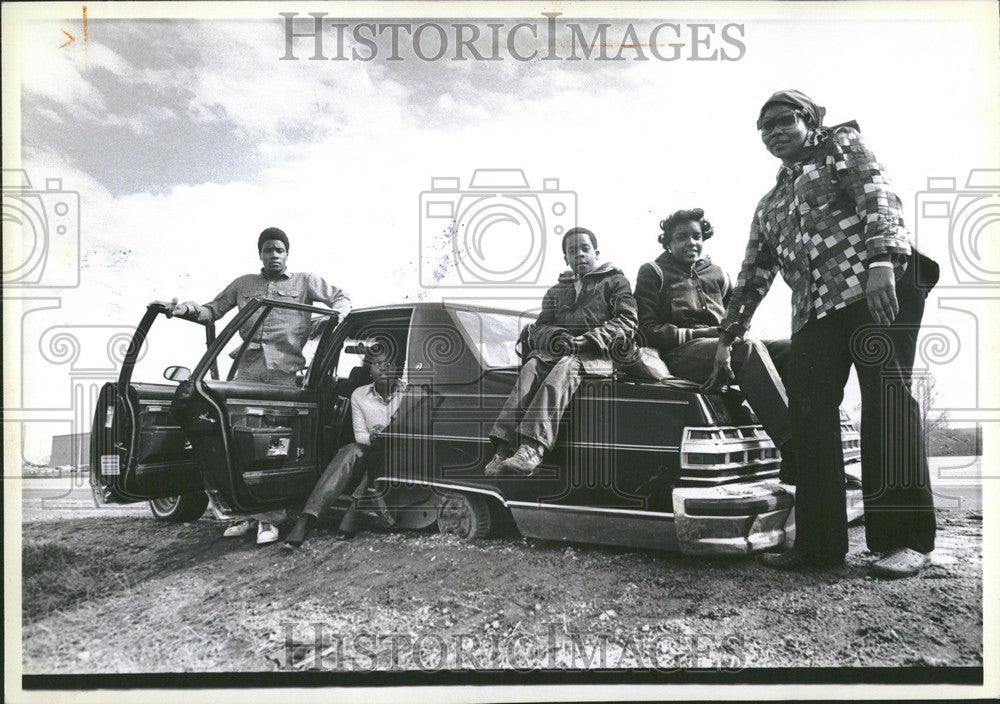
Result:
<point x="257" y="443"/>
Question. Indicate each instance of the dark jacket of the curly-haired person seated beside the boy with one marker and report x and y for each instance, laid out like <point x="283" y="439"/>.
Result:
<point x="679" y="299"/>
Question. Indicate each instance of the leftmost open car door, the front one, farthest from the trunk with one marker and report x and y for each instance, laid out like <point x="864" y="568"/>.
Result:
<point x="138" y="451"/>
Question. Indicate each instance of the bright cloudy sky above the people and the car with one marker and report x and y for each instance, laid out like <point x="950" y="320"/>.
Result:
<point x="185" y="138"/>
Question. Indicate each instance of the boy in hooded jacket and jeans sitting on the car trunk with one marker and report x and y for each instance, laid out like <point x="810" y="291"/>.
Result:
<point x="588" y="322"/>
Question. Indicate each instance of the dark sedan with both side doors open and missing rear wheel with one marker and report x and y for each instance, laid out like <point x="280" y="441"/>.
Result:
<point x="653" y="465"/>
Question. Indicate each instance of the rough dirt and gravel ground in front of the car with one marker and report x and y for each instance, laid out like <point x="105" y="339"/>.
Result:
<point x="123" y="593"/>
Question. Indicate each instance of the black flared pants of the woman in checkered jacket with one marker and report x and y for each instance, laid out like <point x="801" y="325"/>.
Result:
<point x="899" y="505"/>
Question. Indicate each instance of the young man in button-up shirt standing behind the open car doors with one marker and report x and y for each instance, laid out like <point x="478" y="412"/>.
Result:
<point x="274" y="354"/>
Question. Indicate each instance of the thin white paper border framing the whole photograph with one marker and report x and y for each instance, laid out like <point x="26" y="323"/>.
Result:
<point x="16" y="13"/>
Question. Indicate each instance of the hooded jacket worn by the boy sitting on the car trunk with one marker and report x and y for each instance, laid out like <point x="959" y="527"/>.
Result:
<point x="604" y="312"/>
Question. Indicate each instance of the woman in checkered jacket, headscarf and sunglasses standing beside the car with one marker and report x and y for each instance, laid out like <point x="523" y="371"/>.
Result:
<point x="834" y="228"/>
